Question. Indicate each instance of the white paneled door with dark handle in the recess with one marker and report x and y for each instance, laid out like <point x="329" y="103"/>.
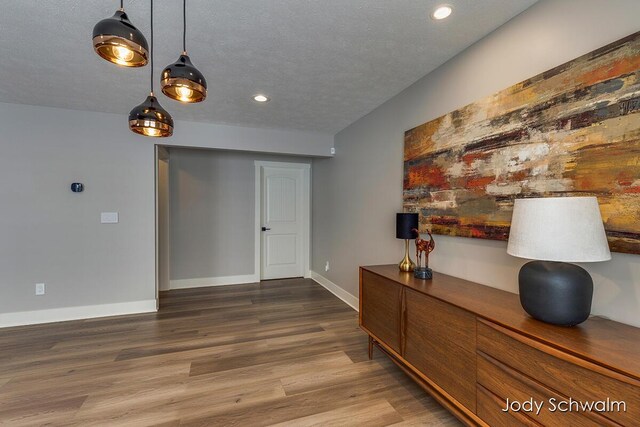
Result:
<point x="283" y="241"/>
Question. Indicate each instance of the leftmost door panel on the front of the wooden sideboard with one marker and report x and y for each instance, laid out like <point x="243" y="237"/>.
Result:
<point x="381" y="299"/>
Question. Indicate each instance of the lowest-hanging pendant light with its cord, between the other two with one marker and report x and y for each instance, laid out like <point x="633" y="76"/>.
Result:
<point x="149" y="118"/>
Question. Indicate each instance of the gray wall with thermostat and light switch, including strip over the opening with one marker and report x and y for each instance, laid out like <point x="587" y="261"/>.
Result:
<point x="48" y="234"/>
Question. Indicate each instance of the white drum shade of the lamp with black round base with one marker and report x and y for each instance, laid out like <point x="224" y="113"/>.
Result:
<point x="567" y="229"/>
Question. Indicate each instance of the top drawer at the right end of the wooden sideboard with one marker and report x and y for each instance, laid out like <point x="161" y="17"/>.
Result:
<point x="561" y="373"/>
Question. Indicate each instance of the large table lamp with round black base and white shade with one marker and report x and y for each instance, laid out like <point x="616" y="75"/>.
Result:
<point x="557" y="231"/>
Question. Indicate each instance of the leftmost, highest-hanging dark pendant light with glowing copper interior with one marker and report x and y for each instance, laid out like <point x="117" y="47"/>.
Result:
<point x="117" y="40"/>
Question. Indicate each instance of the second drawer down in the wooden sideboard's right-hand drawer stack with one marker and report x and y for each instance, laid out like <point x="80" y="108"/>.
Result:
<point x="508" y="383"/>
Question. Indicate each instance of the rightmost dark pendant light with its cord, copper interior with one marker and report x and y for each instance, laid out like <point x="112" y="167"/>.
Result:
<point x="181" y="80"/>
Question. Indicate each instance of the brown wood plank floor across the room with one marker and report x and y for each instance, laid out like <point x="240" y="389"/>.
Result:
<point x="284" y="353"/>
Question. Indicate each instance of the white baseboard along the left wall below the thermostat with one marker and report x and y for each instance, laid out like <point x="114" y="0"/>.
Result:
<point x="75" y="313"/>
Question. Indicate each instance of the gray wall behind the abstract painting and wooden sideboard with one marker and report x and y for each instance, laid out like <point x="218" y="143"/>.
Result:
<point x="357" y="193"/>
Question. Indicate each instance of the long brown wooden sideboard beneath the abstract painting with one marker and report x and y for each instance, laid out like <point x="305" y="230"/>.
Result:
<point x="473" y="348"/>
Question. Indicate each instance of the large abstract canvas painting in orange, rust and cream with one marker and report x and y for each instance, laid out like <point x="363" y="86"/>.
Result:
<point x="571" y="131"/>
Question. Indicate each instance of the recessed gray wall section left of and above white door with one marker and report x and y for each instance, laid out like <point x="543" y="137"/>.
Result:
<point x="212" y="198"/>
